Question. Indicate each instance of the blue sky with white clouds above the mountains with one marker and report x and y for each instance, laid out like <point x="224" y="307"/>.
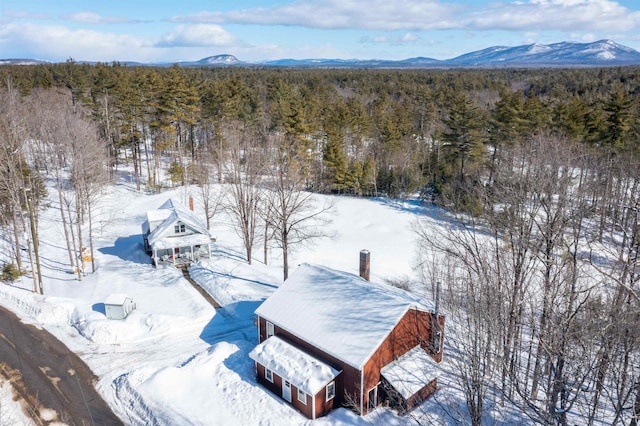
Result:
<point x="181" y="30"/>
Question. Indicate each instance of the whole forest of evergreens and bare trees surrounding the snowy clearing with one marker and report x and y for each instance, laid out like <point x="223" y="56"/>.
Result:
<point x="545" y="162"/>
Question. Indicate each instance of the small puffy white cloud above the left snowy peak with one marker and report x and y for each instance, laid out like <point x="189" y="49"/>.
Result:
<point x="198" y="35"/>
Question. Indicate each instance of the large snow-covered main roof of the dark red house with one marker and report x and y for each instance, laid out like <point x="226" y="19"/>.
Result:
<point x="340" y="313"/>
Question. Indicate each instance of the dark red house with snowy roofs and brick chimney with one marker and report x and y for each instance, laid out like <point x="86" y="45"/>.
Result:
<point x="329" y="339"/>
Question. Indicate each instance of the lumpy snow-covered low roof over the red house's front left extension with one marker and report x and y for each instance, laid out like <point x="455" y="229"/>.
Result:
<point x="301" y="369"/>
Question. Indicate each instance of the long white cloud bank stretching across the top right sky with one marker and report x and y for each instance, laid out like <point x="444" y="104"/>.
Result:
<point x="384" y="15"/>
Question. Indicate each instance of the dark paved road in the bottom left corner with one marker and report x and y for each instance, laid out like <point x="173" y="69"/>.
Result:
<point x="53" y="383"/>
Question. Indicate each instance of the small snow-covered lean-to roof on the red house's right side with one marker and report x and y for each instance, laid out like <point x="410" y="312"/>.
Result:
<point x="411" y="372"/>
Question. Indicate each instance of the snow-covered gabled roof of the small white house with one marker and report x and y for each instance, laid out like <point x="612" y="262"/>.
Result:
<point x="174" y="212"/>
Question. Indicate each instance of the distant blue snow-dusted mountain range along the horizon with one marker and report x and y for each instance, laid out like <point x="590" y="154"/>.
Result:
<point x="563" y="54"/>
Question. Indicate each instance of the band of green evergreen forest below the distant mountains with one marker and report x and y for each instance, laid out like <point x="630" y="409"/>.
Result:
<point x="366" y="132"/>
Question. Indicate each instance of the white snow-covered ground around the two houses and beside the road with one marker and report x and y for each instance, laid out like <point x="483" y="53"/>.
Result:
<point x="176" y="360"/>
